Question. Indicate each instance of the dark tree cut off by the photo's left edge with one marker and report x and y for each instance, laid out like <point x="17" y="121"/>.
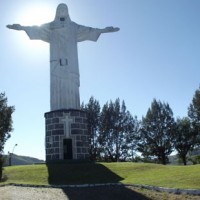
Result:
<point x="5" y="125"/>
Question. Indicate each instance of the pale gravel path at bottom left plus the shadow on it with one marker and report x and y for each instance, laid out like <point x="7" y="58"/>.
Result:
<point x="86" y="193"/>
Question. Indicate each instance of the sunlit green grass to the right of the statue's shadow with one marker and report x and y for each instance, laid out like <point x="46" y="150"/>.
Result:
<point x="159" y="175"/>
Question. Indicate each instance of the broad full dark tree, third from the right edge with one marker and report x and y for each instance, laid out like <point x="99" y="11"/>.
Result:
<point x="157" y="132"/>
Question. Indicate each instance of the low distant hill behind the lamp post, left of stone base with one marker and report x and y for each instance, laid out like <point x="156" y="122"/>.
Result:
<point x="21" y="160"/>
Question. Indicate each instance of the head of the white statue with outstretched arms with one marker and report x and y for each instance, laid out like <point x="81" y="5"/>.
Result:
<point x="62" y="13"/>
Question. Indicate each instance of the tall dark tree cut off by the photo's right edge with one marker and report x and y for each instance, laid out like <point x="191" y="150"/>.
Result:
<point x="194" y="112"/>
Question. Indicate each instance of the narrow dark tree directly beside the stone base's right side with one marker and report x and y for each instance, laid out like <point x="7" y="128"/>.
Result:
<point x="93" y="113"/>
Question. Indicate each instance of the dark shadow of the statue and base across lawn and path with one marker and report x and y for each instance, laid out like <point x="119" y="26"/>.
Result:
<point x="78" y="173"/>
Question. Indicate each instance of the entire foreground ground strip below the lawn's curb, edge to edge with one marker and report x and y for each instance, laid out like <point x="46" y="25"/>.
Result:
<point x="87" y="193"/>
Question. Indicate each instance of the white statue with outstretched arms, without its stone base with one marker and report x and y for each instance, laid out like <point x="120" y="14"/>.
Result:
<point x="63" y="35"/>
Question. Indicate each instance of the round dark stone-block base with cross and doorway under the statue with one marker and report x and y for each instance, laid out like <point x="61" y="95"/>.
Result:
<point x="66" y="135"/>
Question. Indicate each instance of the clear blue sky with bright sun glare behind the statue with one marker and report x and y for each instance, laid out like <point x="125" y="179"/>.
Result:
<point x="156" y="54"/>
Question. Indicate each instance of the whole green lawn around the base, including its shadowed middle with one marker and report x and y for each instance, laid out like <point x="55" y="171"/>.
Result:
<point x="126" y="173"/>
